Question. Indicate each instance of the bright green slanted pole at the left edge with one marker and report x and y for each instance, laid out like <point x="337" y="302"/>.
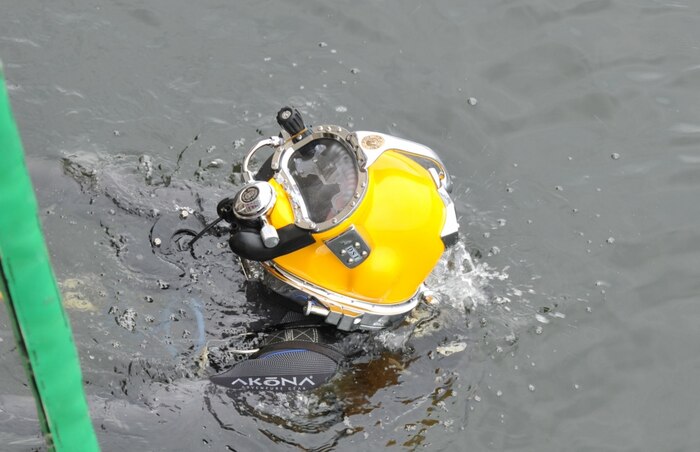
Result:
<point x="28" y="290"/>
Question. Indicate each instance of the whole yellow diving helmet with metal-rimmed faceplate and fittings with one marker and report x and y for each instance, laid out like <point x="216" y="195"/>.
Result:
<point x="346" y="224"/>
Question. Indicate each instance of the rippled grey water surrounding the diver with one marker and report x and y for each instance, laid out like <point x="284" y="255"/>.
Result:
<point x="575" y="295"/>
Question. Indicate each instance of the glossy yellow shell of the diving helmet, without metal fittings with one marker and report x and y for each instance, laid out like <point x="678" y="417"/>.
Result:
<point x="400" y="218"/>
